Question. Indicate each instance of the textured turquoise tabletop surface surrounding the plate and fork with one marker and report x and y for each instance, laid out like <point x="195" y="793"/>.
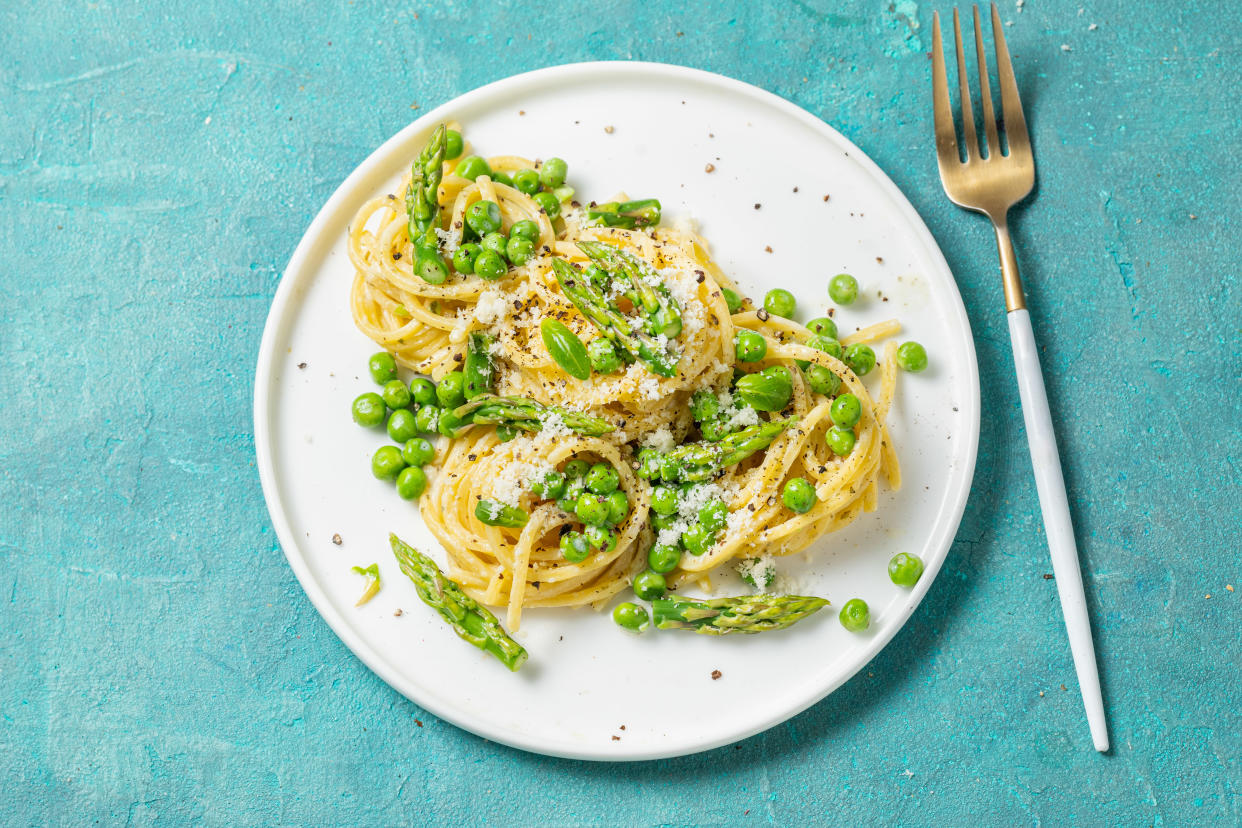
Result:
<point x="161" y="665"/>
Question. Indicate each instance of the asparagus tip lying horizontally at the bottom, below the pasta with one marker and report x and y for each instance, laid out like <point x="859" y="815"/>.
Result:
<point x="743" y="614"/>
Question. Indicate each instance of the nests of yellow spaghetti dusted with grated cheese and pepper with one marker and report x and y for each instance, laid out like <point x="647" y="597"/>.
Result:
<point x="429" y="327"/>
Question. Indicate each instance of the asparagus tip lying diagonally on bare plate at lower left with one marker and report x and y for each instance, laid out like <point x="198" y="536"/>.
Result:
<point x="466" y="616"/>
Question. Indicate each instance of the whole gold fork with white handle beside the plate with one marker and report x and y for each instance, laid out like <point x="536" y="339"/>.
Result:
<point x="992" y="184"/>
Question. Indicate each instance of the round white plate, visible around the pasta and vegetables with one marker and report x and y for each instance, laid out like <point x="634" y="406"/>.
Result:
<point x="587" y="678"/>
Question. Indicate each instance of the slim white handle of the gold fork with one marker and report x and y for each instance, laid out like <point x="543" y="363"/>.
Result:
<point x="1051" y="487"/>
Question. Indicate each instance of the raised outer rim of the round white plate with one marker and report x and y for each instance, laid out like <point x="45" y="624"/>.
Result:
<point x="288" y="290"/>
